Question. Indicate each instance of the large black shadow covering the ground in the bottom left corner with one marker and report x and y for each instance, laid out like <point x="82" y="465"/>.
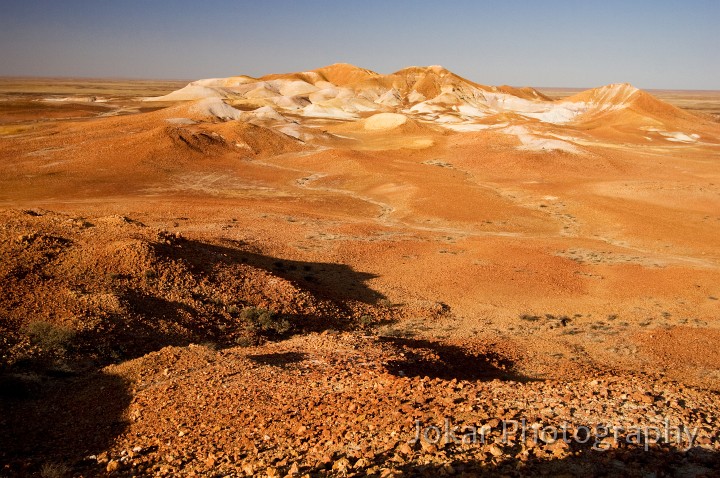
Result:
<point x="55" y="421"/>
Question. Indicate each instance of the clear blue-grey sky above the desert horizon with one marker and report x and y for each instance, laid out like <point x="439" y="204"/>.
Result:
<point x="651" y="44"/>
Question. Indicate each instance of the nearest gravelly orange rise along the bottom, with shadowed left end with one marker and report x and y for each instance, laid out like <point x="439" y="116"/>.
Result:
<point x="349" y="404"/>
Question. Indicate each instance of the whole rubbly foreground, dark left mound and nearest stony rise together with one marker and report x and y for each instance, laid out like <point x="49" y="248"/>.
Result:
<point x="143" y="360"/>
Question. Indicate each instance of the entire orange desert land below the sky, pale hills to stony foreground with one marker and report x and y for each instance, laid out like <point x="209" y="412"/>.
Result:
<point x="290" y="275"/>
